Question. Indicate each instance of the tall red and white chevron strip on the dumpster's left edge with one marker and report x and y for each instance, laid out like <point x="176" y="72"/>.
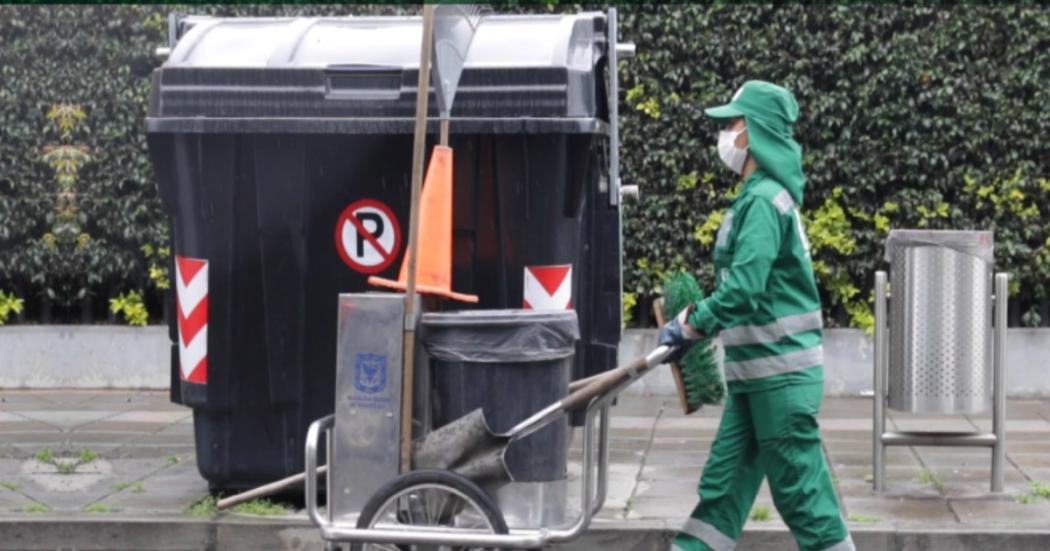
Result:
<point x="192" y="294"/>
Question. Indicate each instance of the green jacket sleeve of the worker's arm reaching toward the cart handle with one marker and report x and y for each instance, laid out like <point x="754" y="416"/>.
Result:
<point x="757" y="245"/>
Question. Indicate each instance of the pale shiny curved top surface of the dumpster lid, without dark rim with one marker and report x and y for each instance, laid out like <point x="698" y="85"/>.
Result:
<point x="500" y="41"/>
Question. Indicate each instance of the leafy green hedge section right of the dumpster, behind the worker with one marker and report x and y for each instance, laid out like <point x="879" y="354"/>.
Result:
<point x="912" y="118"/>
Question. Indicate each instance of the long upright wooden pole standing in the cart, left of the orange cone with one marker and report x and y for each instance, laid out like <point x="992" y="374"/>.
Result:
<point x="408" y="364"/>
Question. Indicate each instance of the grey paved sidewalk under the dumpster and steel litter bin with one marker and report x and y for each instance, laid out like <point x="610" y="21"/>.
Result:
<point x="136" y="493"/>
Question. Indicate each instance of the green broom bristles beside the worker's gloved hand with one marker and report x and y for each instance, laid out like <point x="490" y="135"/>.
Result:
<point x="701" y="372"/>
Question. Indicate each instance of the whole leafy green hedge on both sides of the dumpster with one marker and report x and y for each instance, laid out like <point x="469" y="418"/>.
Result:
<point x="912" y="117"/>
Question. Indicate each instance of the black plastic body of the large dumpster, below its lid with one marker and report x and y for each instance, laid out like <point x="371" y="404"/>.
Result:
<point x="262" y="209"/>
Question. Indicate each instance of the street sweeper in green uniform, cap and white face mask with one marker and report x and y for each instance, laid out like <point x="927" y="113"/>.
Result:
<point x="767" y="312"/>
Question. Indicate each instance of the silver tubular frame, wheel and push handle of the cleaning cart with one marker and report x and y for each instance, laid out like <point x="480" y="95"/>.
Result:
<point x="436" y="507"/>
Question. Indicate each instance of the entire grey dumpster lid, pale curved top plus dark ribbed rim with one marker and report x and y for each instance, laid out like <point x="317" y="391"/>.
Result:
<point x="281" y="75"/>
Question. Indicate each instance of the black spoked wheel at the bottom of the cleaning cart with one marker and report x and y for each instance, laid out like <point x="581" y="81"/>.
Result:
<point x="430" y="498"/>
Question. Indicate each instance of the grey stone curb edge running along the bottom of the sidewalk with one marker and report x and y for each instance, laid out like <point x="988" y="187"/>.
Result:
<point x="175" y="534"/>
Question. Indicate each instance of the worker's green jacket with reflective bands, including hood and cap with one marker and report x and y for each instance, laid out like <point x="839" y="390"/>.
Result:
<point x="766" y="309"/>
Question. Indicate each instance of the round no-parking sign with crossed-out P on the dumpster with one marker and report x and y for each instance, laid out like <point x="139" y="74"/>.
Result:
<point x="368" y="237"/>
